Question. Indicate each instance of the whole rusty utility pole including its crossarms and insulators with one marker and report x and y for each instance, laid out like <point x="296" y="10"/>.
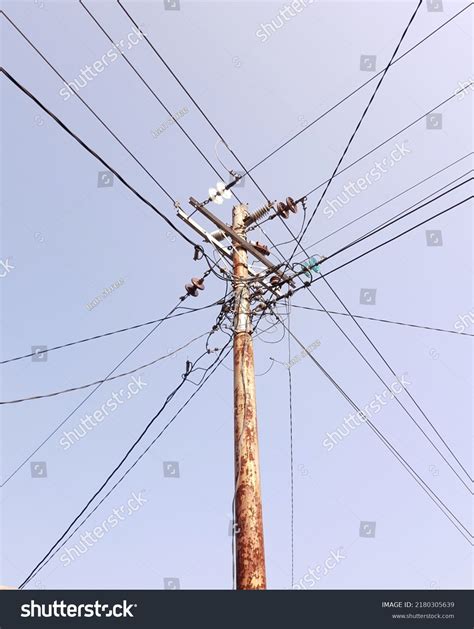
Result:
<point x="248" y="521"/>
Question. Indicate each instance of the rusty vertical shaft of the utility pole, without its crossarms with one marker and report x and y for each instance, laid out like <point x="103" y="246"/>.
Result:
<point x="248" y="531"/>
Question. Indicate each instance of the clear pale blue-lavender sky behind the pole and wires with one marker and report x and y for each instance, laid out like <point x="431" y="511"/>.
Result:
<point x="69" y="239"/>
